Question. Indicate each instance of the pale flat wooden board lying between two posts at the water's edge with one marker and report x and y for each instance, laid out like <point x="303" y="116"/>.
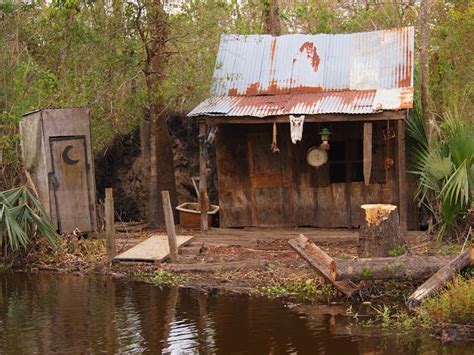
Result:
<point x="152" y="250"/>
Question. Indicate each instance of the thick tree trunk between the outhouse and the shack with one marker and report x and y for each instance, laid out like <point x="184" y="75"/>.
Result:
<point x="161" y="153"/>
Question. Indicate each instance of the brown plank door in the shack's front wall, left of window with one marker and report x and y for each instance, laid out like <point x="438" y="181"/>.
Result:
<point x="272" y="190"/>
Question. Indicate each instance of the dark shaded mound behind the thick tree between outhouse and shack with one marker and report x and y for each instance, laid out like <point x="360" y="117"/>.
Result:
<point x="119" y="166"/>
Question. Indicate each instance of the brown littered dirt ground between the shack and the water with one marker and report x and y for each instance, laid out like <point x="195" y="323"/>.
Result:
<point x="259" y="258"/>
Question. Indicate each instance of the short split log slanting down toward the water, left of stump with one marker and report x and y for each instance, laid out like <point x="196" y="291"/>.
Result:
<point x="323" y="264"/>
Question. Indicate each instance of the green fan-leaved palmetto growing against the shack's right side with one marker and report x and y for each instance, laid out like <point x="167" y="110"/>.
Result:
<point x="444" y="165"/>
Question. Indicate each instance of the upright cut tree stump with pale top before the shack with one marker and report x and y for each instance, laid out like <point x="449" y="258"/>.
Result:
<point x="380" y="231"/>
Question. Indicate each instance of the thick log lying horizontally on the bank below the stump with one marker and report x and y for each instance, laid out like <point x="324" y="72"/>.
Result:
<point x="406" y="267"/>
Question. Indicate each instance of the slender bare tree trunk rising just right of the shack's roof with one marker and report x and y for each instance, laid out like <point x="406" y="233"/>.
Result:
<point x="424" y="66"/>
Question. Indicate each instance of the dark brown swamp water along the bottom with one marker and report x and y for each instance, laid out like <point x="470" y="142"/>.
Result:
<point x="65" y="314"/>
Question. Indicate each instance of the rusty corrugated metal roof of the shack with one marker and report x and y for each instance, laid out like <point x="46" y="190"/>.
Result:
<point x="261" y="75"/>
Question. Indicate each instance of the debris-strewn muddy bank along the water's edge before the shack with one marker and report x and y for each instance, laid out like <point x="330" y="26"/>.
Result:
<point x="267" y="265"/>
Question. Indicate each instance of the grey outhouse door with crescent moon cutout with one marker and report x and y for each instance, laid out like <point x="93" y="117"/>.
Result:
<point x="68" y="156"/>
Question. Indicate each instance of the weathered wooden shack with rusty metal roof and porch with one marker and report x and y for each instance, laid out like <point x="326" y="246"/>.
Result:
<point x="358" y="86"/>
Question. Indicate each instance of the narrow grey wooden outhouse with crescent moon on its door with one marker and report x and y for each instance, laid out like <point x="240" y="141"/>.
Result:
<point x="56" y="147"/>
